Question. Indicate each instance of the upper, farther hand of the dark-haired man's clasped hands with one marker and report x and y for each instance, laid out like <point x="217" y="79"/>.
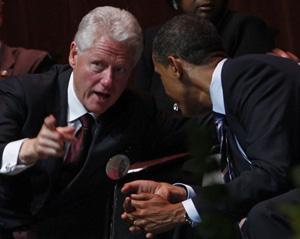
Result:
<point x="165" y="190"/>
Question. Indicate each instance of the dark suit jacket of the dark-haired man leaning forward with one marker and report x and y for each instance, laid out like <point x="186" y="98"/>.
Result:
<point x="262" y="104"/>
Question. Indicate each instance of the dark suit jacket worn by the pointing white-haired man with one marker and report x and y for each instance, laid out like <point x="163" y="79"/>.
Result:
<point x="132" y="127"/>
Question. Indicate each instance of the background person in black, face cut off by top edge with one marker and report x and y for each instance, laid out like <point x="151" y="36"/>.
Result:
<point x="241" y="34"/>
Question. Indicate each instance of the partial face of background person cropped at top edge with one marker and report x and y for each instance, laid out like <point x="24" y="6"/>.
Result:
<point x="210" y="9"/>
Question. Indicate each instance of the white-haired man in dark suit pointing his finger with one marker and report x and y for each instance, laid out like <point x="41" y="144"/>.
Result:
<point x="59" y="129"/>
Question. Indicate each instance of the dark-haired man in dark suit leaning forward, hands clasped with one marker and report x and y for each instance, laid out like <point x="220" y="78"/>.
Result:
<point x="255" y="99"/>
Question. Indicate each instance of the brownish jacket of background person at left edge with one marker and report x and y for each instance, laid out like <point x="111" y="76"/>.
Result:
<point x="19" y="61"/>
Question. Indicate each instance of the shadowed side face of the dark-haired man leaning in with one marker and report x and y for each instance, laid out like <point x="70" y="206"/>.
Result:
<point x="190" y="100"/>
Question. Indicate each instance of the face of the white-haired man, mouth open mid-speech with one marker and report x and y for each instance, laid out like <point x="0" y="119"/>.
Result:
<point x="101" y="73"/>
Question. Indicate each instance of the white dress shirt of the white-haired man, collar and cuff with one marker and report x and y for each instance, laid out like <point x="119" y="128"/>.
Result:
<point x="10" y="155"/>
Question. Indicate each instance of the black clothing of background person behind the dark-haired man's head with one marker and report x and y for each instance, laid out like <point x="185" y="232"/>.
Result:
<point x="241" y="34"/>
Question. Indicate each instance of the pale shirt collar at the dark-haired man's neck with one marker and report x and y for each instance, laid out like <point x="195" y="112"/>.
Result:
<point x="216" y="90"/>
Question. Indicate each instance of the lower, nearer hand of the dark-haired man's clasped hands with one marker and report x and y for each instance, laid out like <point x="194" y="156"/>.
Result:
<point x="153" y="214"/>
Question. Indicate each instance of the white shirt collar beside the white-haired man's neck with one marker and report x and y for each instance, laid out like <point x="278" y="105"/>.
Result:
<point x="75" y="107"/>
